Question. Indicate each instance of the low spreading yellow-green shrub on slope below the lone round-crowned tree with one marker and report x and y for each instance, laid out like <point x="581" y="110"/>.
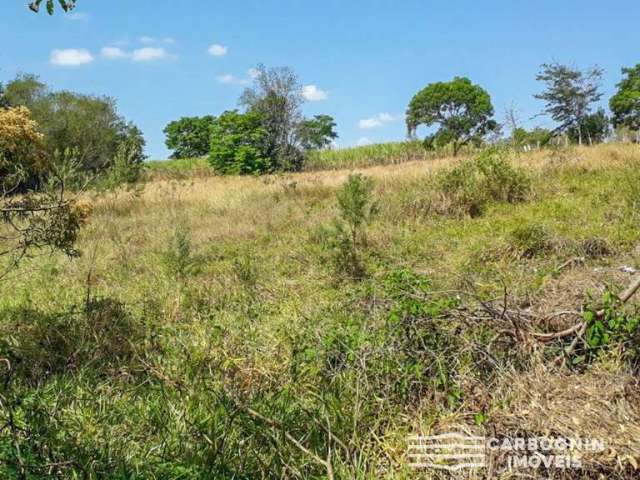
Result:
<point x="469" y="187"/>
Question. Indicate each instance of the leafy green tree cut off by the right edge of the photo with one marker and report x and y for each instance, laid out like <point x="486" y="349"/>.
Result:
<point x="625" y="104"/>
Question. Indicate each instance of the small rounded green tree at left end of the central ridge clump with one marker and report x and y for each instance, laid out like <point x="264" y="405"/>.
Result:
<point x="189" y="137"/>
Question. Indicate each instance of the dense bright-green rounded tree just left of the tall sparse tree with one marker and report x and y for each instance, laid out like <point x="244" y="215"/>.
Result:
<point x="238" y="144"/>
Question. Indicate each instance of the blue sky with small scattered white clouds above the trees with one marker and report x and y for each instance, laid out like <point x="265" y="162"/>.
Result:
<point x="362" y="61"/>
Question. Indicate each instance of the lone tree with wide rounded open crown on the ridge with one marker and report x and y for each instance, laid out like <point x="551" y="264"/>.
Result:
<point x="462" y="110"/>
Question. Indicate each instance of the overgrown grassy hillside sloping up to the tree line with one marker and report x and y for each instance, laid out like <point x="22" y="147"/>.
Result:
<point x="214" y="327"/>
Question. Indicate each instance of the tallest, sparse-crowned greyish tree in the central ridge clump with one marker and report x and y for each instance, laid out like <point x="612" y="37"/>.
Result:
<point x="276" y="97"/>
